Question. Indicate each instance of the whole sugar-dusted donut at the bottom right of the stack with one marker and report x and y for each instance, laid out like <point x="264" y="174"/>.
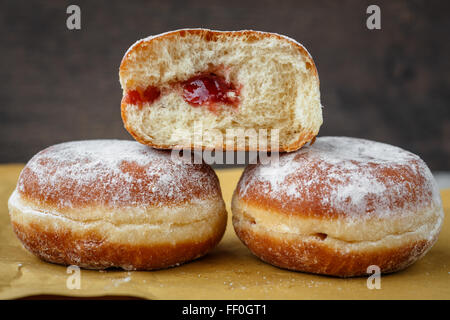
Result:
<point x="337" y="207"/>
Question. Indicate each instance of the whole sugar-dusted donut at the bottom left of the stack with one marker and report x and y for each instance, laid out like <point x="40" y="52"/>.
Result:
<point x="116" y="203"/>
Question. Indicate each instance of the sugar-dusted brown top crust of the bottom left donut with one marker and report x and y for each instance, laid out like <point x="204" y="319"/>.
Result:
<point x="113" y="173"/>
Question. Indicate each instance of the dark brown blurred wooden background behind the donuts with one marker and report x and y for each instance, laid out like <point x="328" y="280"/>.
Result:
<point x="390" y="85"/>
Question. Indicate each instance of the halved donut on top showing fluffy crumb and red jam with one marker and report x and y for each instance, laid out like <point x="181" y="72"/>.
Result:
<point x="181" y="82"/>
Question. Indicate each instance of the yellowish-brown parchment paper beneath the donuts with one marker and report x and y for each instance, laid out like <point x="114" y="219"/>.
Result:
<point x="228" y="272"/>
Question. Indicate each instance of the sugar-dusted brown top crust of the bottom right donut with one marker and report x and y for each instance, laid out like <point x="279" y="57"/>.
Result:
<point x="343" y="176"/>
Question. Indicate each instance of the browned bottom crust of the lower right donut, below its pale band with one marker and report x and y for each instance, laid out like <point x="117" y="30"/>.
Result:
<point x="314" y="253"/>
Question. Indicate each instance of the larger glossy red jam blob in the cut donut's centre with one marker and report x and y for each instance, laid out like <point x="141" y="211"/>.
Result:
<point x="209" y="90"/>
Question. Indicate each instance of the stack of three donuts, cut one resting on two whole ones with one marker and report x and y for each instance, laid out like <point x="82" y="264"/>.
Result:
<point x="333" y="205"/>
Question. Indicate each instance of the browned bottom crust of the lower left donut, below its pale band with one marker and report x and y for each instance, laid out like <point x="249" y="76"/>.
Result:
<point x="90" y="251"/>
